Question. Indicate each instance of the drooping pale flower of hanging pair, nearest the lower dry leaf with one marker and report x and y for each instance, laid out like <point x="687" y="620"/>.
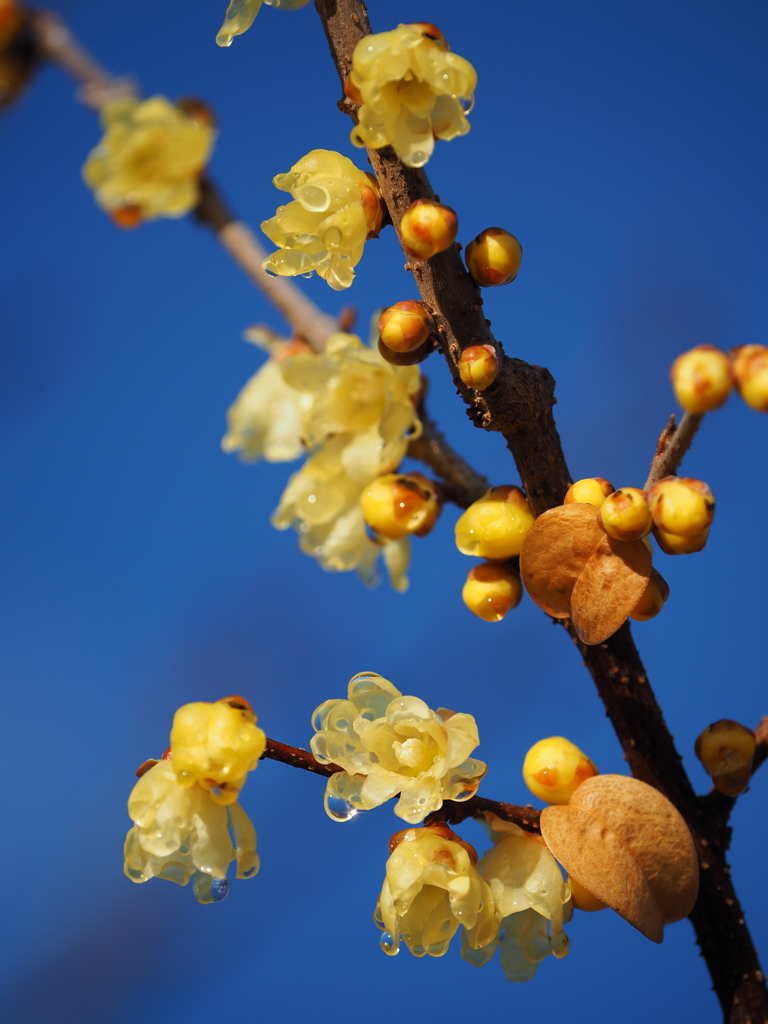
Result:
<point x="531" y="898"/>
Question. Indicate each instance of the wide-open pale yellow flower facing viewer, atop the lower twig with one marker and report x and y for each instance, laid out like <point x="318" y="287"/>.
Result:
<point x="389" y="744"/>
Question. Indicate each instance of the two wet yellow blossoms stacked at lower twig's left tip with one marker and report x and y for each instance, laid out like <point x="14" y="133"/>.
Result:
<point x="185" y="807"/>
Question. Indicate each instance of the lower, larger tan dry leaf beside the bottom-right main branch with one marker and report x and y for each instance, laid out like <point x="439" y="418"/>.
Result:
<point x="627" y="845"/>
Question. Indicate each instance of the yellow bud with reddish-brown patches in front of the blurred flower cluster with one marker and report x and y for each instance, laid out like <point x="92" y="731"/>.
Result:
<point x="396" y="505"/>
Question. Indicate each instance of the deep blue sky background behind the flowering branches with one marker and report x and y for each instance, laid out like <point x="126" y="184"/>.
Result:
<point x="625" y="146"/>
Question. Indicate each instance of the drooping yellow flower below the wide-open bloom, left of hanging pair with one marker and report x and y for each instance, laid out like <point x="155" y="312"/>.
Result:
<point x="433" y="888"/>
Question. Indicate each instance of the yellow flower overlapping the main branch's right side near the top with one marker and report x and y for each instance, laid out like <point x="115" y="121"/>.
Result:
<point x="412" y="92"/>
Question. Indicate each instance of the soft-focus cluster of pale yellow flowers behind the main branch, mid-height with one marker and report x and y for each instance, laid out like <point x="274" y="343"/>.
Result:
<point x="355" y="413"/>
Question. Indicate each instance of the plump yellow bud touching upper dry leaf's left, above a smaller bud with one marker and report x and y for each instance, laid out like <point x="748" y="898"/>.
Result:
<point x="496" y="525"/>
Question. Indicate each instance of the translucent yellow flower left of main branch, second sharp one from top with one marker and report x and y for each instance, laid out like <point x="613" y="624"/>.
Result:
<point x="334" y="208"/>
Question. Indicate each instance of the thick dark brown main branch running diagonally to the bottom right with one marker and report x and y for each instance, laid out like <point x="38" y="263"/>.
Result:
<point x="520" y="406"/>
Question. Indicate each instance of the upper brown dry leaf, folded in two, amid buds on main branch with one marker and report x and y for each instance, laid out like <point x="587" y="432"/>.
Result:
<point x="571" y="568"/>
